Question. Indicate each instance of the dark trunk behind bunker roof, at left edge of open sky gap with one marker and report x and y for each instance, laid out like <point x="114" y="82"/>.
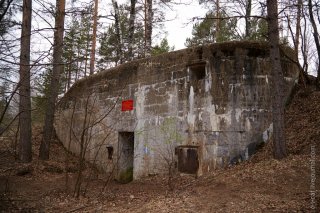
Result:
<point x="148" y="27"/>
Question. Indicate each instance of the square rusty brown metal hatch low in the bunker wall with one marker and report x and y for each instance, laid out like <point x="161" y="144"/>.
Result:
<point x="188" y="159"/>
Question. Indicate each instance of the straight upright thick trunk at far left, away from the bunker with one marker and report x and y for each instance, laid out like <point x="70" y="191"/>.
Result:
<point x="25" y="154"/>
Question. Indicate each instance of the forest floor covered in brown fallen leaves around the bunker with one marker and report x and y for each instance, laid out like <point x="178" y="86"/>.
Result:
<point x="261" y="184"/>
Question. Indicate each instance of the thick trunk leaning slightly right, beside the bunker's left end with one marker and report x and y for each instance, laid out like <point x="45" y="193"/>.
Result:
<point x="55" y="79"/>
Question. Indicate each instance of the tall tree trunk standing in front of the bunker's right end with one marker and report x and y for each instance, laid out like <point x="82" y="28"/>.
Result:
<point x="277" y="80"/>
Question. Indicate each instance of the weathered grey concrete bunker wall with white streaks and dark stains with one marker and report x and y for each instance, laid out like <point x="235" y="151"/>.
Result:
<point x="215" y="98"/>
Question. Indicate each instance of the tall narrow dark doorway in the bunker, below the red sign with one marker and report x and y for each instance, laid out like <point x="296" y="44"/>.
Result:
<point x="126" y="151"/>
